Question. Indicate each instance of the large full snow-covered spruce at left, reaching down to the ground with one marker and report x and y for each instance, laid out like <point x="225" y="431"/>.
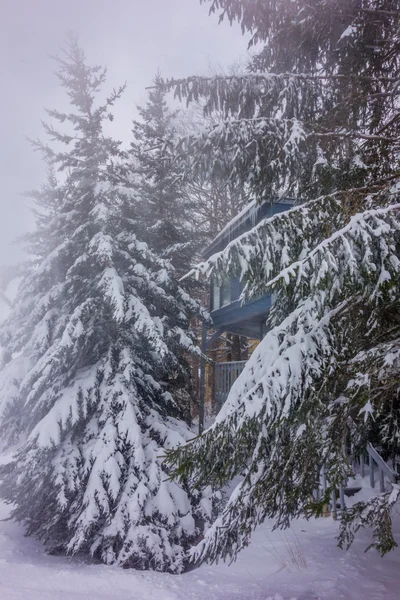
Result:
<point x="90" y="318"/>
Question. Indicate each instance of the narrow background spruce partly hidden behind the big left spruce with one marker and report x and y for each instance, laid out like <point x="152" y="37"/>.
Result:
<point x="164" y="207"/>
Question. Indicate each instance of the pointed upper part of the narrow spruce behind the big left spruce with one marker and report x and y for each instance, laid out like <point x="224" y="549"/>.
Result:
<point x="164" y="206"/>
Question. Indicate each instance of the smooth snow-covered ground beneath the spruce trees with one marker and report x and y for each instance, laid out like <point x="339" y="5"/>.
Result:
<point x="302" y="563"/>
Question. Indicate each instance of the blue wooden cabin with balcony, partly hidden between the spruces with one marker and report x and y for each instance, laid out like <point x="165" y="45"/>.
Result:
<point x="231" y="315"/>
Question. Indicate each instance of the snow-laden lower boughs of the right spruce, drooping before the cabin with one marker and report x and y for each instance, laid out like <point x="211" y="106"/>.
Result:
<point x="277" y="426"/>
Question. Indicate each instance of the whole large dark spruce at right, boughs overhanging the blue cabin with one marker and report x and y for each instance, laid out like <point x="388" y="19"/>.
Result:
<point x="316" y="116"/>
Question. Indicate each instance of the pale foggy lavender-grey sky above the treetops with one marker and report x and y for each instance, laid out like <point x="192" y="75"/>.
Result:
<point x="133" y="38"/>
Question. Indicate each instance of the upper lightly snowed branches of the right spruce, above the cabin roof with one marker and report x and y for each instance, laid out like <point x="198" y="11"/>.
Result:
<point x="317" y="110"/>
